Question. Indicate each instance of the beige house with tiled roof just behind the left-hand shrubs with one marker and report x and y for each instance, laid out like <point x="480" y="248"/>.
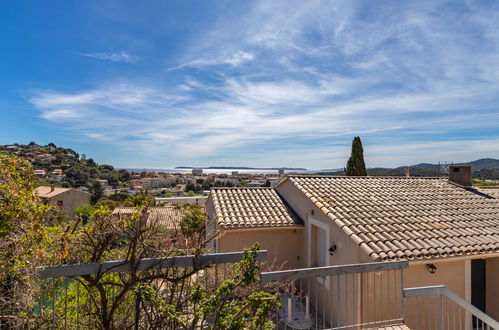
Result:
<point x="65" y="198"/>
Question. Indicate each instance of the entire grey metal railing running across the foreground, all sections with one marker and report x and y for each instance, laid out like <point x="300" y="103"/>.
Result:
<point x="370" y="295"/>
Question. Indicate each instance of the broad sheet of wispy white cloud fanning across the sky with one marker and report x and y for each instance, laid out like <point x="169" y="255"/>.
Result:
<point x="288" y="79"/>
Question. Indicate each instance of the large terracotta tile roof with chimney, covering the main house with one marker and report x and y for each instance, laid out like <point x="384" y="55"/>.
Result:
<point x="407" y="218"/>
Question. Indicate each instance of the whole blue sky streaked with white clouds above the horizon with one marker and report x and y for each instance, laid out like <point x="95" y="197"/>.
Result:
<point x="256" y="83"/>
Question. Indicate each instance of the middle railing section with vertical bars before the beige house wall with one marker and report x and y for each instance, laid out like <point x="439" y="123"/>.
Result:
<point x="339" y="297"/>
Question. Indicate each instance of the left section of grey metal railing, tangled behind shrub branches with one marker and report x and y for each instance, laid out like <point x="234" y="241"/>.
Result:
<point x="65" y="298"/>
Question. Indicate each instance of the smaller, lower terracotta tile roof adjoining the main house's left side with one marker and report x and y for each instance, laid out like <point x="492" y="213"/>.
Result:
<point x="251" y="208"/>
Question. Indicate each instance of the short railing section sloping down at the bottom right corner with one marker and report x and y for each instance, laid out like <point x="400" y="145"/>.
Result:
<point x="437" y="307"/>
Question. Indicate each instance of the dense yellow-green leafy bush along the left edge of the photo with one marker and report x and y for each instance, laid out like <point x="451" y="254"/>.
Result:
<point x="22" y="236"/>
